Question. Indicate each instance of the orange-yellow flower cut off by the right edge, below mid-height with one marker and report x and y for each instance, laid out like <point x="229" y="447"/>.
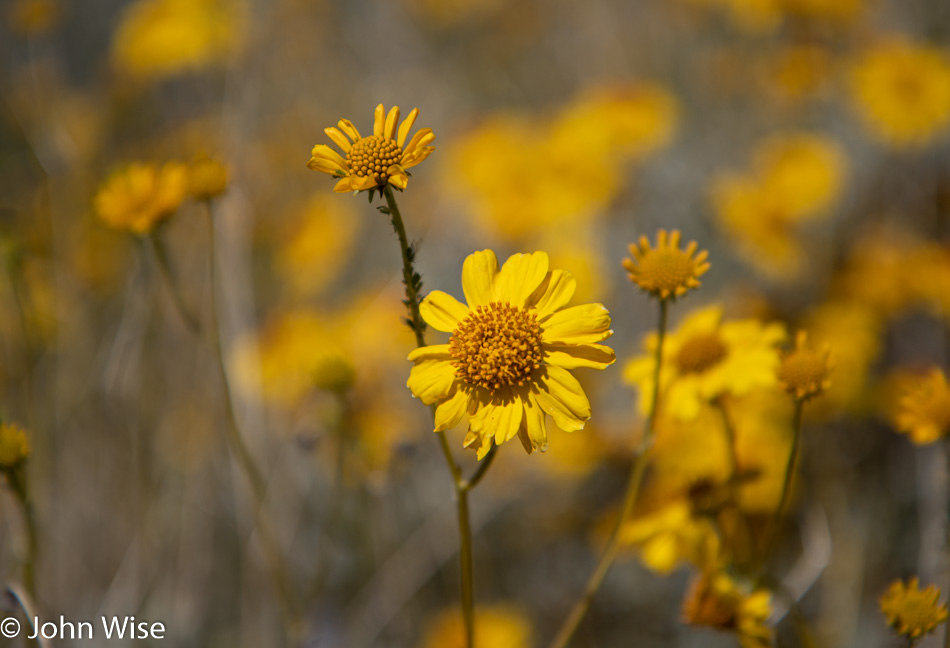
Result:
<point x="924" y="411"/>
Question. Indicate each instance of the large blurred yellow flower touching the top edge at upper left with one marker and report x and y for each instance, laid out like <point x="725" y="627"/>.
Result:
<point x="161" y="38"/>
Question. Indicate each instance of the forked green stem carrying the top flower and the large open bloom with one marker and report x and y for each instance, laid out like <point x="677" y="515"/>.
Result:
<point x="413" y="284"/>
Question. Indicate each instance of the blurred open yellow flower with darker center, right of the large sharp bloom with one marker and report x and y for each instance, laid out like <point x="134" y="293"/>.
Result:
<point x="705" y="358"/>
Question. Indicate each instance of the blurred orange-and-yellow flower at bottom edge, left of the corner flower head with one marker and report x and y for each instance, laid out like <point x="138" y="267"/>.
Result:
<point x="717" y="601"/>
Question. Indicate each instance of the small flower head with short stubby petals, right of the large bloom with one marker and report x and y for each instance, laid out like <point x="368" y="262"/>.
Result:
<point x="666" y="271"/>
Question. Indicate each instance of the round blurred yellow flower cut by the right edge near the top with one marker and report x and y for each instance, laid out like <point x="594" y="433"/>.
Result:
<point x="902" y="90"/>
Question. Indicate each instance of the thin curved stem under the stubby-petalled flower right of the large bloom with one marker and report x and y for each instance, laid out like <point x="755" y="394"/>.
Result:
<point x="637" y="471"/>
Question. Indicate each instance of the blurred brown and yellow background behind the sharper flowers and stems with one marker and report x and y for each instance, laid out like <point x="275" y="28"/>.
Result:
<point x="802" y="142"/>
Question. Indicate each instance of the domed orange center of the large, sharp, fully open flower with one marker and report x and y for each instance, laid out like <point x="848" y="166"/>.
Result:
<point x="497" y="345"/>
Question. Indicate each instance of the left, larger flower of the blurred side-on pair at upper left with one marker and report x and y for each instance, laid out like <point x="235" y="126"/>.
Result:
<point x="139" y="196"/>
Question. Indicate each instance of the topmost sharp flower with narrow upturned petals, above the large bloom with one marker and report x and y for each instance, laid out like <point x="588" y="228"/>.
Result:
<point x="376" y="160"/>
